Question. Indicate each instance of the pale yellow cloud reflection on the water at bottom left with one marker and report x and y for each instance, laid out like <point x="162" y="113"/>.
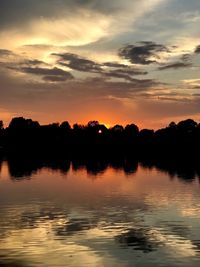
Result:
<point x="40" y="249"/>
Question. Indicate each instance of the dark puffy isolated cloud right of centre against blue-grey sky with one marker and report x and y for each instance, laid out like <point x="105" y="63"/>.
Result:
<point x="144" y="53"/>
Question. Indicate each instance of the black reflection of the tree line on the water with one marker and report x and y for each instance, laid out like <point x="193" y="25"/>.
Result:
<point x="185" y="170"/>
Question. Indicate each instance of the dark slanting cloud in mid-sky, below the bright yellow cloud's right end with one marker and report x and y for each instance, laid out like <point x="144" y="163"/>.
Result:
<point x="76" y="62"/>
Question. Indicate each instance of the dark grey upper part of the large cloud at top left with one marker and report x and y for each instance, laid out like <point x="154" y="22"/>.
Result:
<point x="19" y="12"/>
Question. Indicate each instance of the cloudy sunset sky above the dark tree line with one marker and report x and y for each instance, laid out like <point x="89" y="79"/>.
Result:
<point x="118" y="62"/>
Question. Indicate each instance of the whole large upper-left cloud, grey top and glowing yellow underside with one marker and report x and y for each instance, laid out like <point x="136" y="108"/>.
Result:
<point x="67" y="22"/>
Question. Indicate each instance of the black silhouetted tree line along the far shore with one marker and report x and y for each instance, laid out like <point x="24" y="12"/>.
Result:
<point x="27" y="137"/>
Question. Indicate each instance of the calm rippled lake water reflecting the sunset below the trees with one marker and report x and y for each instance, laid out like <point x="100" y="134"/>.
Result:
<point x="52" y="216"/>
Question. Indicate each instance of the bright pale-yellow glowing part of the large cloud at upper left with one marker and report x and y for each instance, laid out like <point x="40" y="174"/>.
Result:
<point x="78" y="29"/>
